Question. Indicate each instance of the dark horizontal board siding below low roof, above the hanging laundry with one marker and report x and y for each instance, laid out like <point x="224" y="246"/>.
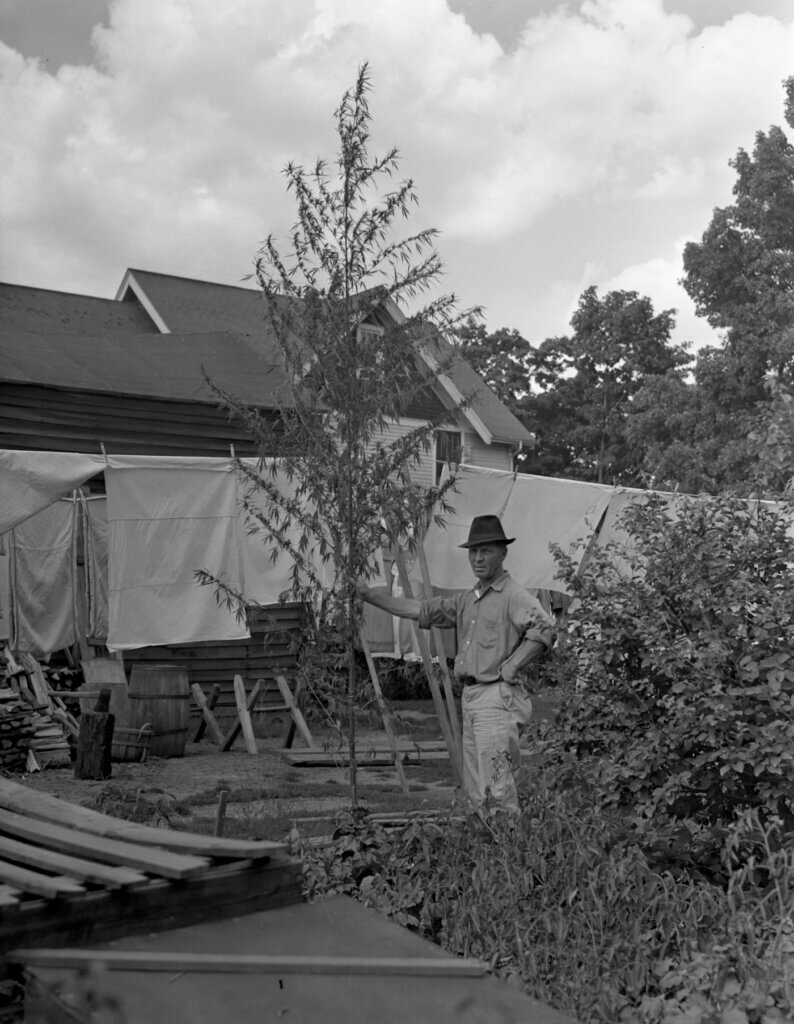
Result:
<point x="34" y="418"/>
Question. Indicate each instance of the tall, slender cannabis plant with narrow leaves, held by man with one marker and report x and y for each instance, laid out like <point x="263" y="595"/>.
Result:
<point x="358" y="352"/>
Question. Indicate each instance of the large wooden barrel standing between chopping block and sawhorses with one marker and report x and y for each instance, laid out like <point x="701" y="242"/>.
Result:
<point x="160" y="696"/>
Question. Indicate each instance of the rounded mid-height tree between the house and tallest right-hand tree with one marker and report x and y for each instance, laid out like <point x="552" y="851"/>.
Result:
<point x="588" y="382"/>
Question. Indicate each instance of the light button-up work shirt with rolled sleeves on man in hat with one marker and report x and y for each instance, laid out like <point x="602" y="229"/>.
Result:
<point x="492" y="626"/>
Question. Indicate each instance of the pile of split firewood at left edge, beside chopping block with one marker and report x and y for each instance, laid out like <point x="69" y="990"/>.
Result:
<point x="51" y="721"/>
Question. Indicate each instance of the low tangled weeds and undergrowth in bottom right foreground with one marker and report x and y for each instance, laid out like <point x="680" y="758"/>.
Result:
<point x="567" y="906"/>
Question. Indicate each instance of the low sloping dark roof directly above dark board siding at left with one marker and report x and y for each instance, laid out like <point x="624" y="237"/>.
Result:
<point x="157" y="366"/>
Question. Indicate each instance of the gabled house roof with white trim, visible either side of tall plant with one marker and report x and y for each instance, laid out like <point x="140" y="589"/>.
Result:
<point x="186" y="305"/>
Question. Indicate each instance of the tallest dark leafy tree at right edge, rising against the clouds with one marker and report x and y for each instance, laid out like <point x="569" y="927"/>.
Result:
<point x="741" y="277"/>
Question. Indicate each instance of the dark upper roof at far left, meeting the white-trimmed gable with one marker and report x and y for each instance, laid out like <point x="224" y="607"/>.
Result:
<point x="45" y="312"/>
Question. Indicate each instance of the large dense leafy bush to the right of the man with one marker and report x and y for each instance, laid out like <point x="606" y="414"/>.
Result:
<point x="680" y="663"/>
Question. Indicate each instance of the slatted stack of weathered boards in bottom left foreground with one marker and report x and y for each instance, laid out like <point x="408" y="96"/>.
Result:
<point x="69" y="874"/>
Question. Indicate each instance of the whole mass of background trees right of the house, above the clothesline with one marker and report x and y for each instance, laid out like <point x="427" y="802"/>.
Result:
<point x="616" y="402"/>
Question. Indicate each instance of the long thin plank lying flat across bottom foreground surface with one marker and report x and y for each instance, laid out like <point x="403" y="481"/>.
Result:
<point x="165" y="961"/>
